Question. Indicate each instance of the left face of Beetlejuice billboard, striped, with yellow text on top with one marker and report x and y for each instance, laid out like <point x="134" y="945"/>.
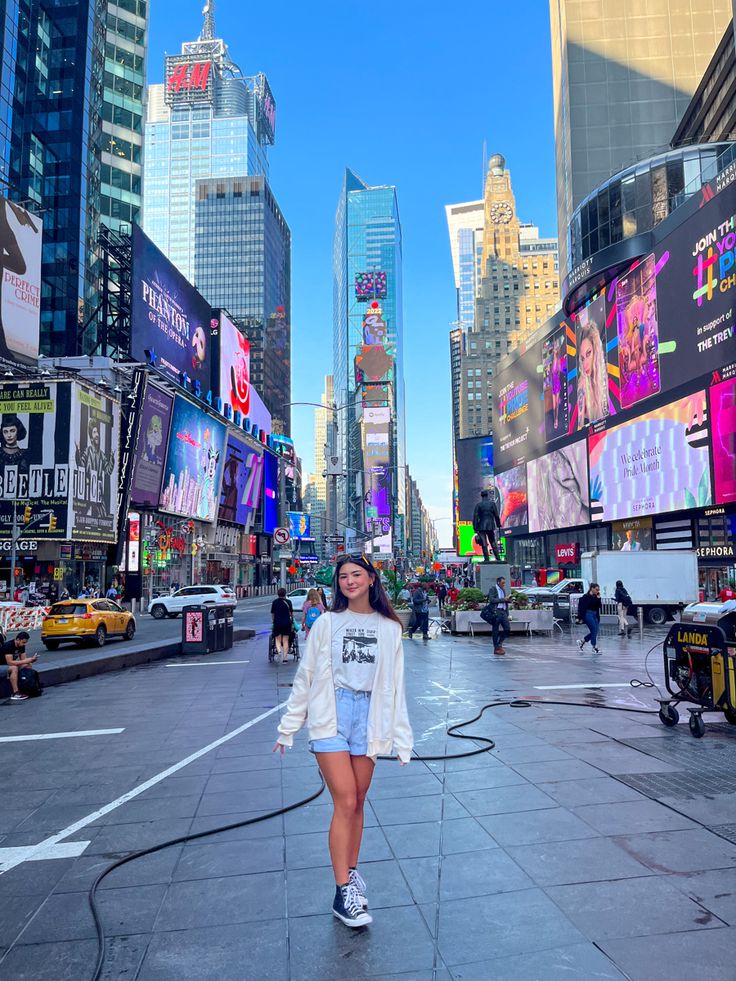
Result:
<point x="35" y="450"/>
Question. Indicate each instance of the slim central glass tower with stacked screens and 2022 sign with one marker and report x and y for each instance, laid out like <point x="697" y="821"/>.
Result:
<point x="368" y="364"/>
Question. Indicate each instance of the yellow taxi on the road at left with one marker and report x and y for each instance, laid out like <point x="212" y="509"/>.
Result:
<point x="86" y="621"/>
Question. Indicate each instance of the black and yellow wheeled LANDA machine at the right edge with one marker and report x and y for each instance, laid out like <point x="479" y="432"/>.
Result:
<point x="700" y="664"/>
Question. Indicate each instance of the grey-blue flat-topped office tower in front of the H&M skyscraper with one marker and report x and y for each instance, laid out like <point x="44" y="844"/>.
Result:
<point x="242" y="262"/>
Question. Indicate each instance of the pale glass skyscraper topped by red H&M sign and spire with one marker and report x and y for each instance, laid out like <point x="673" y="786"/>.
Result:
<point x="207" y="120"/>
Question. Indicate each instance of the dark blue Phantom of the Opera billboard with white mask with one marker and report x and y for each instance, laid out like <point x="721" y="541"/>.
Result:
<point x="168" y="317"/>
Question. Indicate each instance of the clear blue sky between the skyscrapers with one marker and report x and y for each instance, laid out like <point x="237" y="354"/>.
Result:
<point x="404" y="93"/>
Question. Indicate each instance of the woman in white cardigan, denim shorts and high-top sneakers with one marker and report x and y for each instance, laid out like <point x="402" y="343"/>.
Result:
<point x="350" y="685"/>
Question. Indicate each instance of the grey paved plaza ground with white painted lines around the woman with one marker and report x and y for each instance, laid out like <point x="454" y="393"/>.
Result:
<point x="590" y="844"/>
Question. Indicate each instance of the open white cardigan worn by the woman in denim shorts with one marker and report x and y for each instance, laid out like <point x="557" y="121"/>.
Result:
<point x="313" y="693"/>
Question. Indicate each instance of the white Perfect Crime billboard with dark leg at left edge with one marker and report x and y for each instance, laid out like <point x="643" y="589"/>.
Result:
<point x="21" y="234"/>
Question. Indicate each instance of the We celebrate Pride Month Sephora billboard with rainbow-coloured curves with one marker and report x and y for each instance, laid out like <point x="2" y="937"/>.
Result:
<point x="656" y="462"/>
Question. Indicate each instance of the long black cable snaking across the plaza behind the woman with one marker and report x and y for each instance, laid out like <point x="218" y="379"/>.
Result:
<point x="489" y="744"/>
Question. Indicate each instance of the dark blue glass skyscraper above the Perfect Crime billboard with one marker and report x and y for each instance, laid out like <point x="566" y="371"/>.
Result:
<point x="51" y="102"/>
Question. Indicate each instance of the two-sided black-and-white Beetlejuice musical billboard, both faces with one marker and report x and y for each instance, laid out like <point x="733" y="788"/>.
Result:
<point x="59" y="447"/>
